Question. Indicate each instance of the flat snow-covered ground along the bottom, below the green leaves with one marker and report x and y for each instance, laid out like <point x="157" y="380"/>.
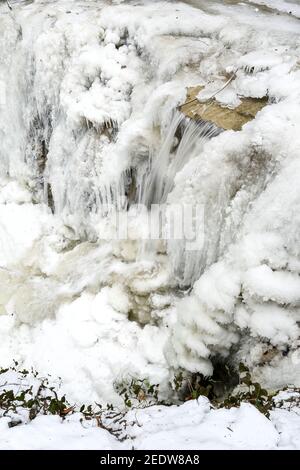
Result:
<point x="193" y="425"/>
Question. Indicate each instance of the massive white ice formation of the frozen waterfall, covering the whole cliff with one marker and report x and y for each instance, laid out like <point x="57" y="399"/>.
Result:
<point x="88" y="98"/>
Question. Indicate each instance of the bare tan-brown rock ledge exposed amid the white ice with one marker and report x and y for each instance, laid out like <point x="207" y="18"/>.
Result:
<point x="223" y="117"/>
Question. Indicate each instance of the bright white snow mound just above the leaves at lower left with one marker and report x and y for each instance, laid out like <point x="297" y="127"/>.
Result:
<point x="87" y="344"/>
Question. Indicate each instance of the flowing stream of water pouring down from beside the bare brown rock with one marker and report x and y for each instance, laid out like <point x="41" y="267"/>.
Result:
<point x="184" y="140"/>
